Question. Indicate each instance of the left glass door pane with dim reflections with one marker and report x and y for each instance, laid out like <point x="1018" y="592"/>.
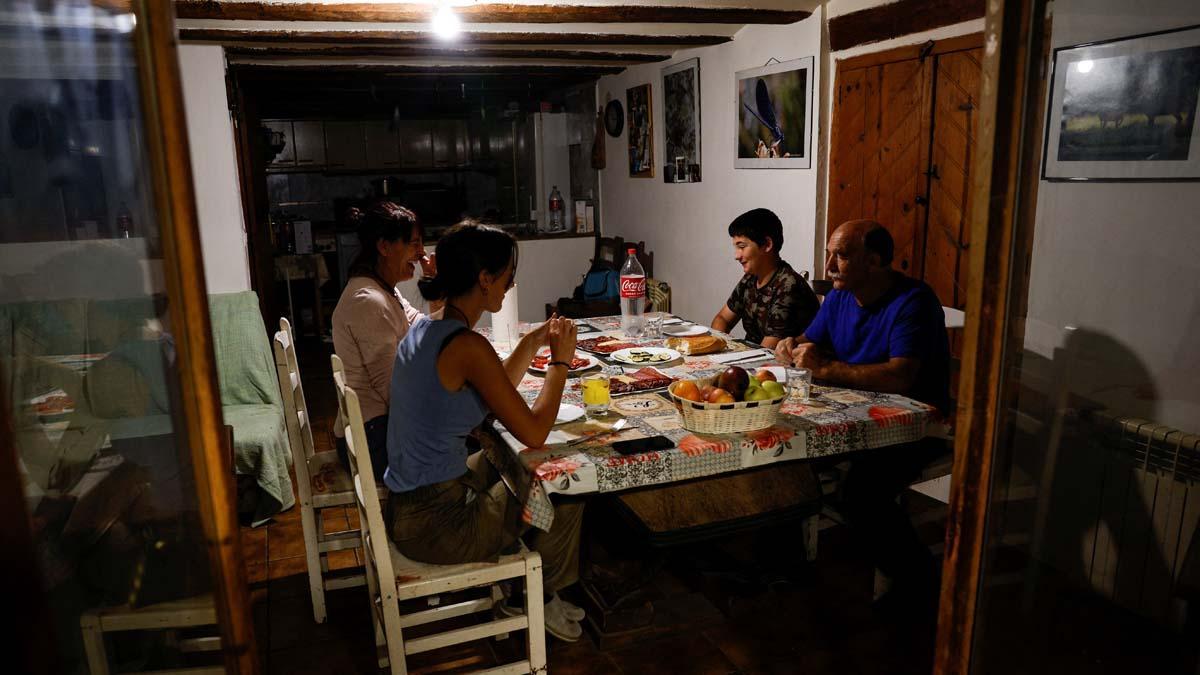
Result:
<point x="87" y="355"/>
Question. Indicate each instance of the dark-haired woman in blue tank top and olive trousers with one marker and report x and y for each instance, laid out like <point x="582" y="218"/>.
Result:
<point x="447" y="503"/>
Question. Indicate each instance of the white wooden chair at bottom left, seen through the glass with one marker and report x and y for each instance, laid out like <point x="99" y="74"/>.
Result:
<point x="188" y="613"/>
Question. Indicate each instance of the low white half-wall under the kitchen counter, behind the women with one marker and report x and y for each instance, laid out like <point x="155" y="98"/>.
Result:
<point x="548" y="271"/>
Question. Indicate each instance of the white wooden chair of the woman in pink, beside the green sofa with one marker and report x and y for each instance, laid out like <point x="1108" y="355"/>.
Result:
<point x="321" y="479"/>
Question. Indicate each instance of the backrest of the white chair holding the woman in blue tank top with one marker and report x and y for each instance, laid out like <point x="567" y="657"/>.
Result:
<point x="381" y="575"/>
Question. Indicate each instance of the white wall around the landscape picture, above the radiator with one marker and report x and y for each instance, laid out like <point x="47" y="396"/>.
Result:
<point x="1123" y="260"/>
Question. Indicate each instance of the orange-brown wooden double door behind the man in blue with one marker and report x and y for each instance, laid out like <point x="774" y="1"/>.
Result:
<point x="903" y="127"/>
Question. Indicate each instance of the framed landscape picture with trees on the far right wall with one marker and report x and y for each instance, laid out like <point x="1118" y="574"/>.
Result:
<point x="1125" y="110"/>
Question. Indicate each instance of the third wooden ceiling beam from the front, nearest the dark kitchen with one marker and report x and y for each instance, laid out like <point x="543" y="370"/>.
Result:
<point x="471" y="53"/>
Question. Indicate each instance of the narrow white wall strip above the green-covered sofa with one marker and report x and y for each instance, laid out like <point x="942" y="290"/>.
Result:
<point x="214" y="169"/>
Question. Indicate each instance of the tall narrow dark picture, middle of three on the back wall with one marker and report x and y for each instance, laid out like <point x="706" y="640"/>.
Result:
<point x="681" y="117"/>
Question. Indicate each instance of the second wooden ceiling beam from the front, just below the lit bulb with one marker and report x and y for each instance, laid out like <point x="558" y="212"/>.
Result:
<point x="427" y="39"/>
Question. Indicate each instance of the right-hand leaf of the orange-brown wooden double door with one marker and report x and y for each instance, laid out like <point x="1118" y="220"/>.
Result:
<point x="957" y="95"/>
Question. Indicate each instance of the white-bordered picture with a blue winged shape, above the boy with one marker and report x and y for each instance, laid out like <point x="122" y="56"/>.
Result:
<point x="775" y="116"/>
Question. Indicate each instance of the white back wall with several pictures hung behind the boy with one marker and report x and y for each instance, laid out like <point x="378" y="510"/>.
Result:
<point x="686" y="225"/>
